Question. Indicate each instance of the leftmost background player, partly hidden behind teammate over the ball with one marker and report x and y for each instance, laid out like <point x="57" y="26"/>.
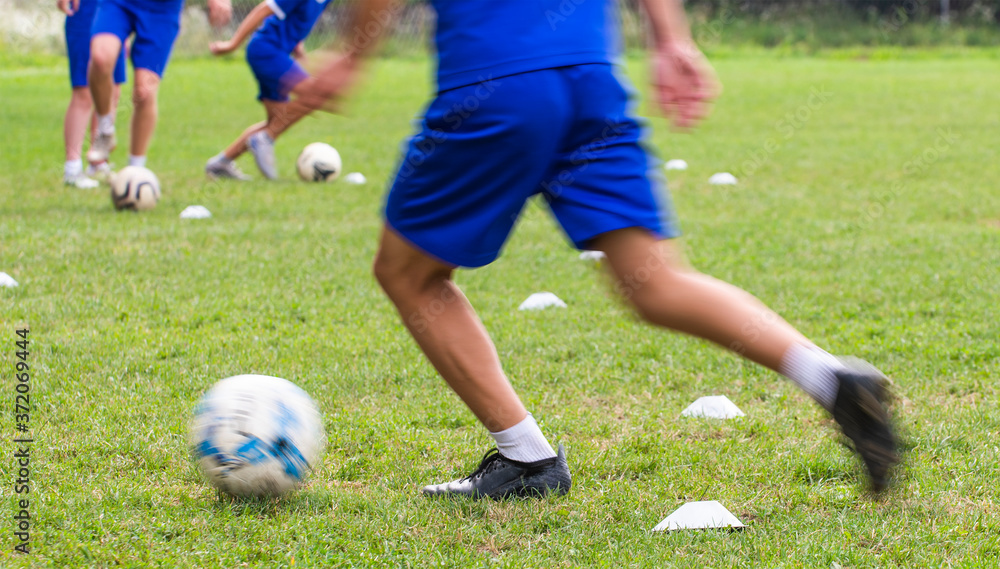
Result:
<point x="79" y="18"/>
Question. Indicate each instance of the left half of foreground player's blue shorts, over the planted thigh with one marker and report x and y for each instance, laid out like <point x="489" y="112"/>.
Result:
<point x="479" y="155"/>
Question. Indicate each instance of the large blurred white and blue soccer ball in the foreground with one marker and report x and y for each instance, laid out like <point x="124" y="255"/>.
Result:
<point x="256" y="436"/>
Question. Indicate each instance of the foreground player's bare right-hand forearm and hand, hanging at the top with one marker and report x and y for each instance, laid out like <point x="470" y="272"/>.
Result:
<point x="682" y="78"/>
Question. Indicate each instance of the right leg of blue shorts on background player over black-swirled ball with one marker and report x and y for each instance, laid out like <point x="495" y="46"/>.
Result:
<point x="157" y="24"/>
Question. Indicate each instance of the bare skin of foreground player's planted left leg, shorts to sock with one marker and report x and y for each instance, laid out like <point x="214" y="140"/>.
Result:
<point x="447" y="329"/>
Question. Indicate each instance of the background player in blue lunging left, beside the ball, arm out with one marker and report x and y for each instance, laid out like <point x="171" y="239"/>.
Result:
<point x="286" y="23"/>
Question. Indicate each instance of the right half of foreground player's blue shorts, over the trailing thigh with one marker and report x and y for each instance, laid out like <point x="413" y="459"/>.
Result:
<point x="607" y="177"/>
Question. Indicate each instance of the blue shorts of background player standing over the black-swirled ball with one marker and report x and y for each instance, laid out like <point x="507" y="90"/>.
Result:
<point x="155" y="23"/>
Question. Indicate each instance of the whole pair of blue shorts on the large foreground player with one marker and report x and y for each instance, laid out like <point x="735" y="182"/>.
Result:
<point x="485" y="149"/>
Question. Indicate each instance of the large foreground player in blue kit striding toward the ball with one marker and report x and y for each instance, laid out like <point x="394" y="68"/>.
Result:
<point x="529" y="102"/>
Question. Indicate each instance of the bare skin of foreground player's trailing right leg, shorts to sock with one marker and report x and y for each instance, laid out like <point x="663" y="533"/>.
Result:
<point x="653" y="277"/>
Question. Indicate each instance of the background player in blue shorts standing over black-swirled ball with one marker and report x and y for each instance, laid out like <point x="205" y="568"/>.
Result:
<point x="155" y="24"/>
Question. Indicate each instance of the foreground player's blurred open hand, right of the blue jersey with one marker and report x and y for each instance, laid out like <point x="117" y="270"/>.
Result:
<point x="684" y="83"/>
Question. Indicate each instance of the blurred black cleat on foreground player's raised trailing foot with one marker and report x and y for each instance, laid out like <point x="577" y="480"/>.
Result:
<point x="861" y="412"/>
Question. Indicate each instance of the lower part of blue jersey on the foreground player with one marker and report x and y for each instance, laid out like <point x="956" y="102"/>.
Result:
<point x="479" y="38"/>
